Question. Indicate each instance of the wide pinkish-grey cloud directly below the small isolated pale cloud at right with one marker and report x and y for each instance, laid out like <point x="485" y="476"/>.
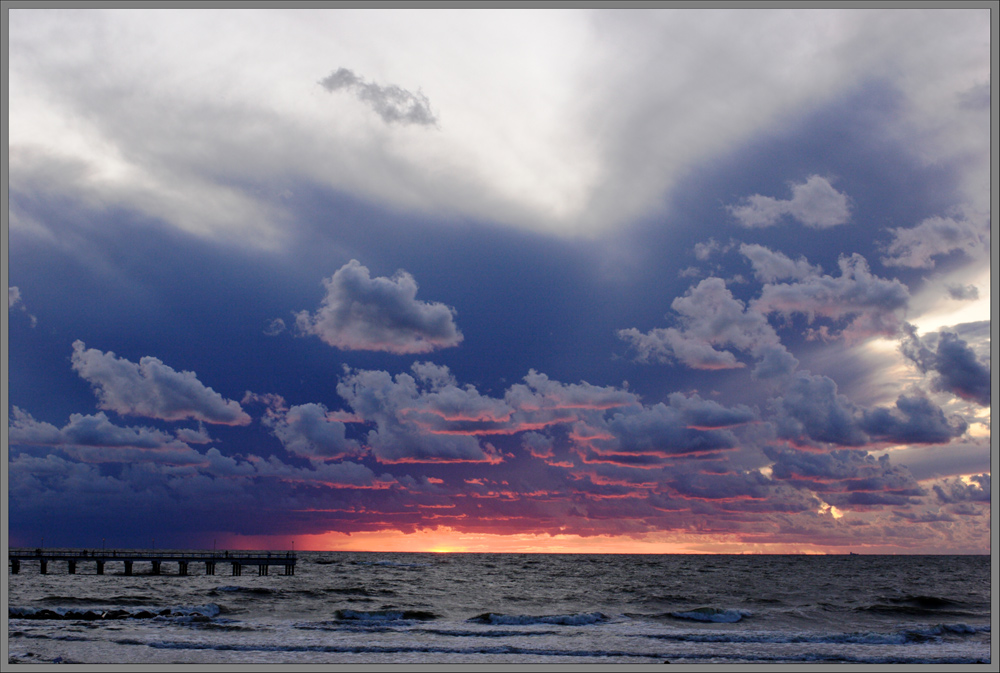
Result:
<point x="867" y="302"/>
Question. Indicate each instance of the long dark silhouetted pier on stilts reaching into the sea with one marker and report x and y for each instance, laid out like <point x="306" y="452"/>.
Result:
<point x="129" y="557"/>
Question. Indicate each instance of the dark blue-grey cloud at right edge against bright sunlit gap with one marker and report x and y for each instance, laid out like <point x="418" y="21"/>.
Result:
<point x="958" y="369"/>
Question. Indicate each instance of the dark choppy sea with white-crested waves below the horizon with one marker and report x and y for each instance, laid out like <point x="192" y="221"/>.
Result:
<point x="514" y="609"/>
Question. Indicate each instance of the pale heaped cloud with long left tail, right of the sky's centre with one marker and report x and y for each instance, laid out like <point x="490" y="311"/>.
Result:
<point x="710" y="318"/>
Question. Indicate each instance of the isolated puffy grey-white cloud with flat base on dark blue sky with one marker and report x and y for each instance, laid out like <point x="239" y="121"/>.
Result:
<point x="379" y="314"/>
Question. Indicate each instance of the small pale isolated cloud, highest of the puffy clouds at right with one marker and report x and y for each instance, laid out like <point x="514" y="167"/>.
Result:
<point x="814" y="203"/>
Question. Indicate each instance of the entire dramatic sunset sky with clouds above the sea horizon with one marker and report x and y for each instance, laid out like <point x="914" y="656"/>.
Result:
<point x="498" y="280"/>
